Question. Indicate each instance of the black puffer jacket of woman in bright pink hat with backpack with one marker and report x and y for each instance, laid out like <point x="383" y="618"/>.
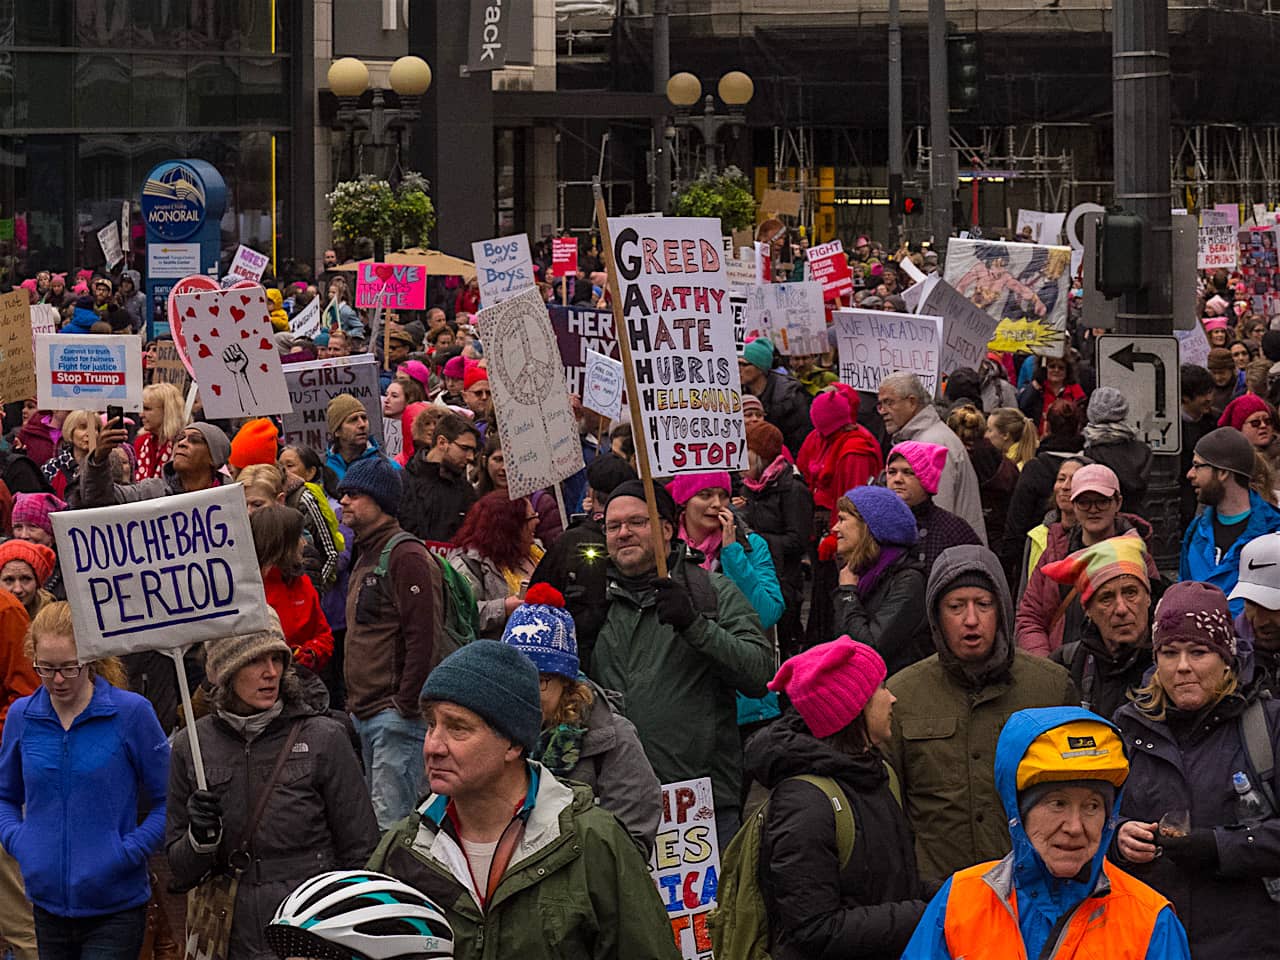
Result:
<point x="816" y="909"/>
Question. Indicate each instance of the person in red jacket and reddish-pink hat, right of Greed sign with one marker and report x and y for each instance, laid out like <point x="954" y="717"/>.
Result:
<point x="838" y="455"/>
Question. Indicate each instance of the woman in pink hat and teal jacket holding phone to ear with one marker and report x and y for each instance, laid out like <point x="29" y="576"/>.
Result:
<point x="710" y="527"/>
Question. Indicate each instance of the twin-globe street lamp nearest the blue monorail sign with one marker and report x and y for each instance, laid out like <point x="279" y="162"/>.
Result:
<point x="349" y="79"/>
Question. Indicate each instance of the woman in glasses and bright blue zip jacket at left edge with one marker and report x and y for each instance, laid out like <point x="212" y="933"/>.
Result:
<point x="84" y="771"/>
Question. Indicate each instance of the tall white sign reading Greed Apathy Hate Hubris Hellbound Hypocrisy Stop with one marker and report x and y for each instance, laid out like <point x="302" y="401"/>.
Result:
<point x="680" y="330"/>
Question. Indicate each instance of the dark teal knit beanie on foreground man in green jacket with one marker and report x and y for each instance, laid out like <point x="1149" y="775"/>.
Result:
<point x="496" y="682"/>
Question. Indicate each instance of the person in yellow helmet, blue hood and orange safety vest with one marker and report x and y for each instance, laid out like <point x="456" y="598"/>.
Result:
<point x="1060" y="774"/>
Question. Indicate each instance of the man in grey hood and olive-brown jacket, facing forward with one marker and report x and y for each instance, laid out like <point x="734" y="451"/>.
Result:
<point x="952" y="708"/>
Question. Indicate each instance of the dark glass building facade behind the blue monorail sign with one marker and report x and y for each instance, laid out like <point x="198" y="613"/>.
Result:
<point x="95" y="93"/>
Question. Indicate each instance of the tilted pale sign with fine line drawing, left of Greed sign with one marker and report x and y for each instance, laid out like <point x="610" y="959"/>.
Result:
<point x="540" y="435"/>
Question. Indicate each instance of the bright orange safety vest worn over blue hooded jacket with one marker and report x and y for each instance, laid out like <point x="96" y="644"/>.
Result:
<point x="1117" y="926"/>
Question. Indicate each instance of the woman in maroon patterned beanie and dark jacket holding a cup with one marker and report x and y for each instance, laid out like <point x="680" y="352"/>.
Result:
<point x="1187" y="734"/>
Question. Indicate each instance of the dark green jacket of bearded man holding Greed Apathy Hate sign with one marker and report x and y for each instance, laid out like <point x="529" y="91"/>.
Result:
<point x="680" y="689"/>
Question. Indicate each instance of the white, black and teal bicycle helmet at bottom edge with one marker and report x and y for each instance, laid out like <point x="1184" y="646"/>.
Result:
<point x="362" y="916"/>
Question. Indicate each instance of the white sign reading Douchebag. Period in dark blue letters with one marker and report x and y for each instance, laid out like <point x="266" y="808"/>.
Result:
<point x="161" y="574"/>
